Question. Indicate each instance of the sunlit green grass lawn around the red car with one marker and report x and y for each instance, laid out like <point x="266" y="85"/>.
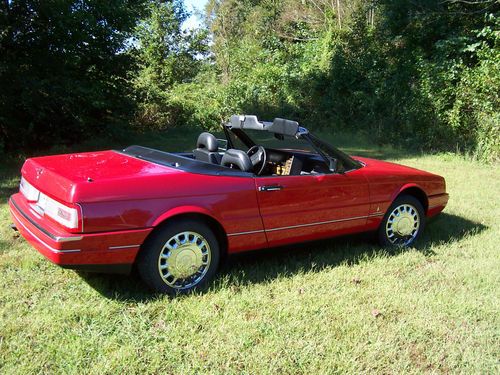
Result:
<point x="336" y="306"/>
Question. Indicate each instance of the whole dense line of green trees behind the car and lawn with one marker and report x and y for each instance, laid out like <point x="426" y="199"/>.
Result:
<point x="422" y="73"/>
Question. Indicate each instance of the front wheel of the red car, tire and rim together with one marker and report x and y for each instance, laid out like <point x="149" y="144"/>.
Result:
<point x="403" y="222"/>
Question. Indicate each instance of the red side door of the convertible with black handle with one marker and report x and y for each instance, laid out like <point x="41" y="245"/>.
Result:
<point x="314" y="206"/>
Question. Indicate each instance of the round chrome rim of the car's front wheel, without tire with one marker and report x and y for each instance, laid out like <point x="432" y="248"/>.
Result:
<point x="402" y="225"/>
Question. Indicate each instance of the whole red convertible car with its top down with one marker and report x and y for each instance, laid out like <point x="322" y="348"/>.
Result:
<point x="174" y="215"/>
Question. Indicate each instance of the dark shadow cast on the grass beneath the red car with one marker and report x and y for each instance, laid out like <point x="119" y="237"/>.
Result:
<point x="265" y="265"/>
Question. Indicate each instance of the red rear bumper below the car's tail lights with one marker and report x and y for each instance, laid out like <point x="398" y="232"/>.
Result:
<point x="104" y="252"/>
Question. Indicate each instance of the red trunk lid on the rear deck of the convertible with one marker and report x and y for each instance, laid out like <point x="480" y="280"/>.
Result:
<point x="92" y="176"/>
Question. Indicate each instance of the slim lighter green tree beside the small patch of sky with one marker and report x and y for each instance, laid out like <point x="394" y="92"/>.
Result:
<point x="166" y="56"/>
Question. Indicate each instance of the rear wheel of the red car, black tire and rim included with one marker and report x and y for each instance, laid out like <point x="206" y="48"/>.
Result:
<point x="149" y="262"/>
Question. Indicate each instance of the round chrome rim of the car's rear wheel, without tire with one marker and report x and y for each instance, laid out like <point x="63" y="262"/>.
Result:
<point x="184" y="260"/>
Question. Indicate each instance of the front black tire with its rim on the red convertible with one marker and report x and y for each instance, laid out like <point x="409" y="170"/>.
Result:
<point x="397" y="239"/>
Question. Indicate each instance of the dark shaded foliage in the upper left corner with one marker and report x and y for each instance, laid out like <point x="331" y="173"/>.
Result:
<point x="62" y="70"/>
